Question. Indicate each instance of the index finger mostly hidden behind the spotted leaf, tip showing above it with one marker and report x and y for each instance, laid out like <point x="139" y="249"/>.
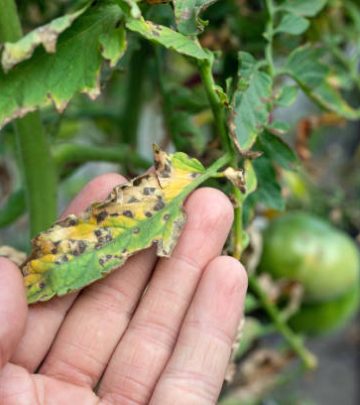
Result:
<point x="44" y="319"/>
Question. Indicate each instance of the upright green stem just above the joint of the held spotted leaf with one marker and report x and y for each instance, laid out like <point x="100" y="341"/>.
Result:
<point x="205" y="68"/>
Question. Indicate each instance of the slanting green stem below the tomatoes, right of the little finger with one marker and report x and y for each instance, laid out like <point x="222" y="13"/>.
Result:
<point x="308" y="359"/>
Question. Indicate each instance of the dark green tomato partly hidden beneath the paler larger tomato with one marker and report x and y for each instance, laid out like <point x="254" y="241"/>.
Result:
<point x="328" y="316"/>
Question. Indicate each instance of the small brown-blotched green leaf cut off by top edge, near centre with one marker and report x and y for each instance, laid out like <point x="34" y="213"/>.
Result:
<point x="187" y="15"/>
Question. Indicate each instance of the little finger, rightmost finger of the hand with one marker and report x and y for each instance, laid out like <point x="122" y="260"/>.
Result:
<point x="196" y="370"/>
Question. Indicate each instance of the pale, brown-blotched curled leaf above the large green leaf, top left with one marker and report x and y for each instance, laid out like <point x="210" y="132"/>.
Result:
<point x="46" y="35"/>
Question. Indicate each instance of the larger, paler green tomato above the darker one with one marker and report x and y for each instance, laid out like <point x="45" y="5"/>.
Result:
<point x="304" y="248"/>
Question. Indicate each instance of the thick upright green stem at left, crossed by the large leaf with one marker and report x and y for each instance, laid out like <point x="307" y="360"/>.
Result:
<point x="38" y="168"/>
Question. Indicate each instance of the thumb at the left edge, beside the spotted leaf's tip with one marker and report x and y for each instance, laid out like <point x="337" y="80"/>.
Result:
<point x="13" y="309"/>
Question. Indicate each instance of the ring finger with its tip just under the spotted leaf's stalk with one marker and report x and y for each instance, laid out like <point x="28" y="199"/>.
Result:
<point x="151" y="335"/>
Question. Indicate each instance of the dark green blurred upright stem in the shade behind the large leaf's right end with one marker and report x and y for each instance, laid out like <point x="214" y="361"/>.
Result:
<point x="134" y="94"/>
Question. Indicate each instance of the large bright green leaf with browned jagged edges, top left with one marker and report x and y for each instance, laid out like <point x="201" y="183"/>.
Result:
<point x="75" y="67"/>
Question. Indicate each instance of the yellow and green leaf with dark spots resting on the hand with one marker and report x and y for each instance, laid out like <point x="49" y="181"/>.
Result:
<point x="81" y="249"/>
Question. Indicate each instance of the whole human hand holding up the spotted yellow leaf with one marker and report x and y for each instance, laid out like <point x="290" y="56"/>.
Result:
<point x="156" y="331"/>
